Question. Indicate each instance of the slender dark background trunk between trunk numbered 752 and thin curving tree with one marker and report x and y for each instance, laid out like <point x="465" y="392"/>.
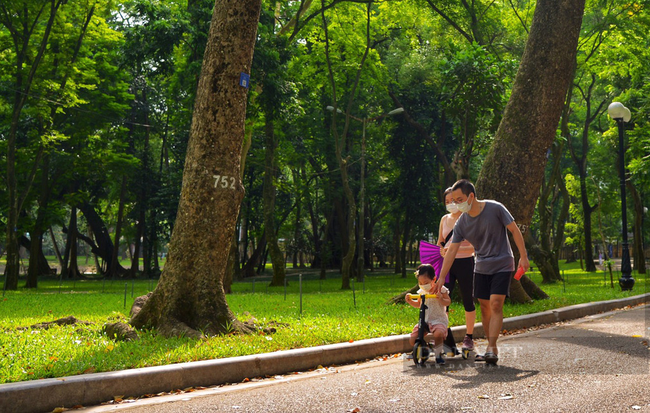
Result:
<point x="269" y="192"/>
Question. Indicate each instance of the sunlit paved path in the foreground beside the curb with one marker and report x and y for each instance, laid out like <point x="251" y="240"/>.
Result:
<point x="593" y="364"/>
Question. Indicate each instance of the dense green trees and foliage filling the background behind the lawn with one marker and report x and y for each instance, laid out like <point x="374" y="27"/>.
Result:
<point x="97" y="101"/>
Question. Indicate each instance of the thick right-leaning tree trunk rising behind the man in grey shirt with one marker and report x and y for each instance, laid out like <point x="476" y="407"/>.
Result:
<point x="514" y="167"/>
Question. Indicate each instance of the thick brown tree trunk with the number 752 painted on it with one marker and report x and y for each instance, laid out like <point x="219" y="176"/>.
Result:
<point x="189" y="297"/>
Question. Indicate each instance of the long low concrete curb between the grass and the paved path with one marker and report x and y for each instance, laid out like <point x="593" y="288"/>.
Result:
<point x="92" y="389"/>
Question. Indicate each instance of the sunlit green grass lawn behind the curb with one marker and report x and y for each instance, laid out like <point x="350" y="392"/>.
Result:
<point x="328" y="315"/>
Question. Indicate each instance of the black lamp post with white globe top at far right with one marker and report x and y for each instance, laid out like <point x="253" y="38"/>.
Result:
<point x="621" y="115"/>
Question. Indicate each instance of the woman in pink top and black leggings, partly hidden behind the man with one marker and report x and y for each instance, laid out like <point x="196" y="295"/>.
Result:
<point x="462" y="271"/>
